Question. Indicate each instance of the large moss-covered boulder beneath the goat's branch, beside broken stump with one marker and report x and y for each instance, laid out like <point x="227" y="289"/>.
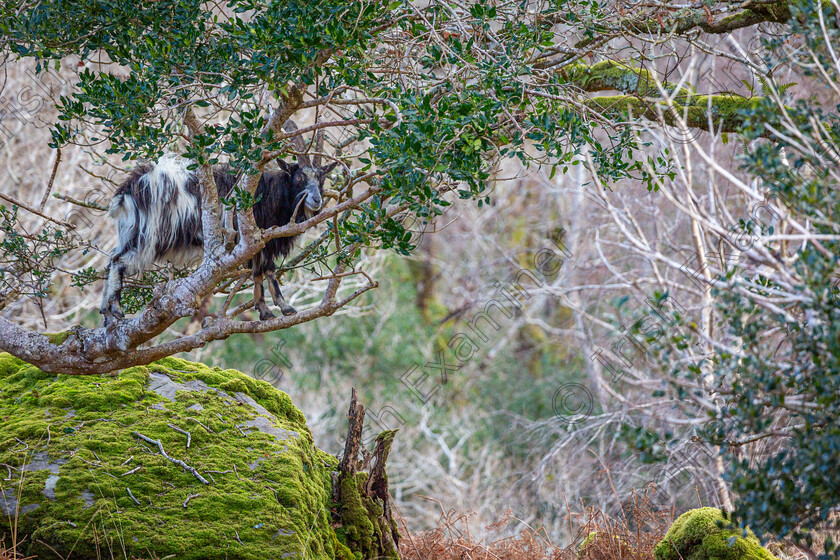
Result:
<point x="80" y="478"/>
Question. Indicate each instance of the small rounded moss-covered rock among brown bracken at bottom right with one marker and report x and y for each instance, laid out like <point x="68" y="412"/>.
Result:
<point x="704" y="534"/>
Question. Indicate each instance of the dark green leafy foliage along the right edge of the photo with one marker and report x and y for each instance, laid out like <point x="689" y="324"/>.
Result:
<point x="794" y="490"/>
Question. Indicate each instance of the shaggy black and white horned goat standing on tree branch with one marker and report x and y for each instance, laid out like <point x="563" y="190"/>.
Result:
<point x="157" y="212"/>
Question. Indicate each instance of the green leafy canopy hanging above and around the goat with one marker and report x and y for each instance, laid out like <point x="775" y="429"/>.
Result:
<point x="182" y="54"/>
